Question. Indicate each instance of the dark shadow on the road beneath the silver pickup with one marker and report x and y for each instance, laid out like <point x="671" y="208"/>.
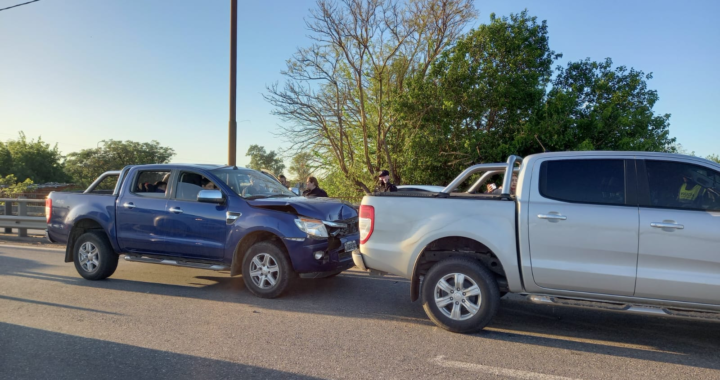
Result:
<point x="661" y="339"/>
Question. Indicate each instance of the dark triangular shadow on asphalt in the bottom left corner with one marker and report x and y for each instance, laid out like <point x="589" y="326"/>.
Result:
<point x="71" y="357"/>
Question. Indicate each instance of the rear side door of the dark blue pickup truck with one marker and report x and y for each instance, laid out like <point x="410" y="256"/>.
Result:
<point x="141" y="212"/>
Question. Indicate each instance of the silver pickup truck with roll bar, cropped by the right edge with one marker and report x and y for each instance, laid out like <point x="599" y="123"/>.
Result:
<point x="626" y="231"/>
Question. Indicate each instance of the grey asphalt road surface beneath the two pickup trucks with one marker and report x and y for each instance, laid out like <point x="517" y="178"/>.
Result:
<point x="162" y="322"/>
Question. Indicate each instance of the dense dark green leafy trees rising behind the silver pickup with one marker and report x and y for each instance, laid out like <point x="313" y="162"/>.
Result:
<point x="492" y="95"/>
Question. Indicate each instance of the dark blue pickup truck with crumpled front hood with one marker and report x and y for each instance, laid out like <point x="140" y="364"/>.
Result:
<point x="204" y="216"/>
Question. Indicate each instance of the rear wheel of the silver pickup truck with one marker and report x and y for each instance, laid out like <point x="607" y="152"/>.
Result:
<point x="488" y="301"/>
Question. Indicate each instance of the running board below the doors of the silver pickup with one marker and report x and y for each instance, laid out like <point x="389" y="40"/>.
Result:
<point x="626" y="307"/>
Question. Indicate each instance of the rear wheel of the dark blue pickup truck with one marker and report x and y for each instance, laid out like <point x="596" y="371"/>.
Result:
<point x="103" y="259"/>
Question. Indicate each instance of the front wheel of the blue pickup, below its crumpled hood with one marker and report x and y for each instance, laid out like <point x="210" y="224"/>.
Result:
<point x="285" y="275"/>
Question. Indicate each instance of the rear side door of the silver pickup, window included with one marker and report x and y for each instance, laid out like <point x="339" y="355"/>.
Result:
<point x="583" y="225"/>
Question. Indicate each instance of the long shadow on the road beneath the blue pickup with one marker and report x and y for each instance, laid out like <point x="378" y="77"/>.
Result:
<point x="351" y="294"/>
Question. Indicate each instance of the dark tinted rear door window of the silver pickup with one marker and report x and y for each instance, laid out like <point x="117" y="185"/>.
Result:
<point x="584" y="181"/>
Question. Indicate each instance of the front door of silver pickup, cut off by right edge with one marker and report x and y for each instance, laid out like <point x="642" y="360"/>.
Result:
<point x="679" y="256"/>
